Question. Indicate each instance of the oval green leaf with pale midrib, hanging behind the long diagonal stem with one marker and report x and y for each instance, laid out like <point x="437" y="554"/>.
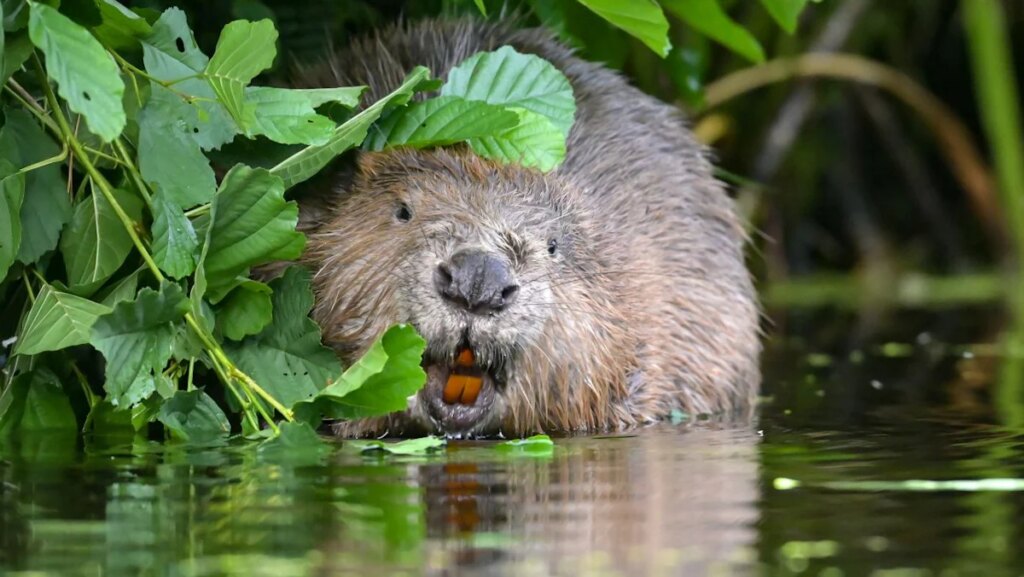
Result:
<point x="96" y="244"/>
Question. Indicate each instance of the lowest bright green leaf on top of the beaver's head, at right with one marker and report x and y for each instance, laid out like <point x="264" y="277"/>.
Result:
<point x="534" y="142"/>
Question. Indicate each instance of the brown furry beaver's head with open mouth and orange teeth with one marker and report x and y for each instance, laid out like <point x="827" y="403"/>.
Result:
<point x="494" y="266"/>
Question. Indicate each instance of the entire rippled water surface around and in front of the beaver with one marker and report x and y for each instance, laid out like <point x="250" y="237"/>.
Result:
<point x="821" y="483"/>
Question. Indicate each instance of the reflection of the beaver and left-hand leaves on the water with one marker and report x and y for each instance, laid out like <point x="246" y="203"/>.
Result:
<point x="667" y="502"/>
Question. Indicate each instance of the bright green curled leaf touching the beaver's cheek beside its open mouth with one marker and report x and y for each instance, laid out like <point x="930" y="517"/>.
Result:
<point x="378" y="384"/>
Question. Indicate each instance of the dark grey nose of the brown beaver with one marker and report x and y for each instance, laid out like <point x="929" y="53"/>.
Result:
<point x="478" y="281"/>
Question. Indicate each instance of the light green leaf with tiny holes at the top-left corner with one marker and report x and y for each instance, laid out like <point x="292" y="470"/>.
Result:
<point x="88" y="77"/>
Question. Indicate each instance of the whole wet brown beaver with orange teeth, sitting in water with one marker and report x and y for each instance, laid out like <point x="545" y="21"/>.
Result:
<point x="607" y="294"/>
